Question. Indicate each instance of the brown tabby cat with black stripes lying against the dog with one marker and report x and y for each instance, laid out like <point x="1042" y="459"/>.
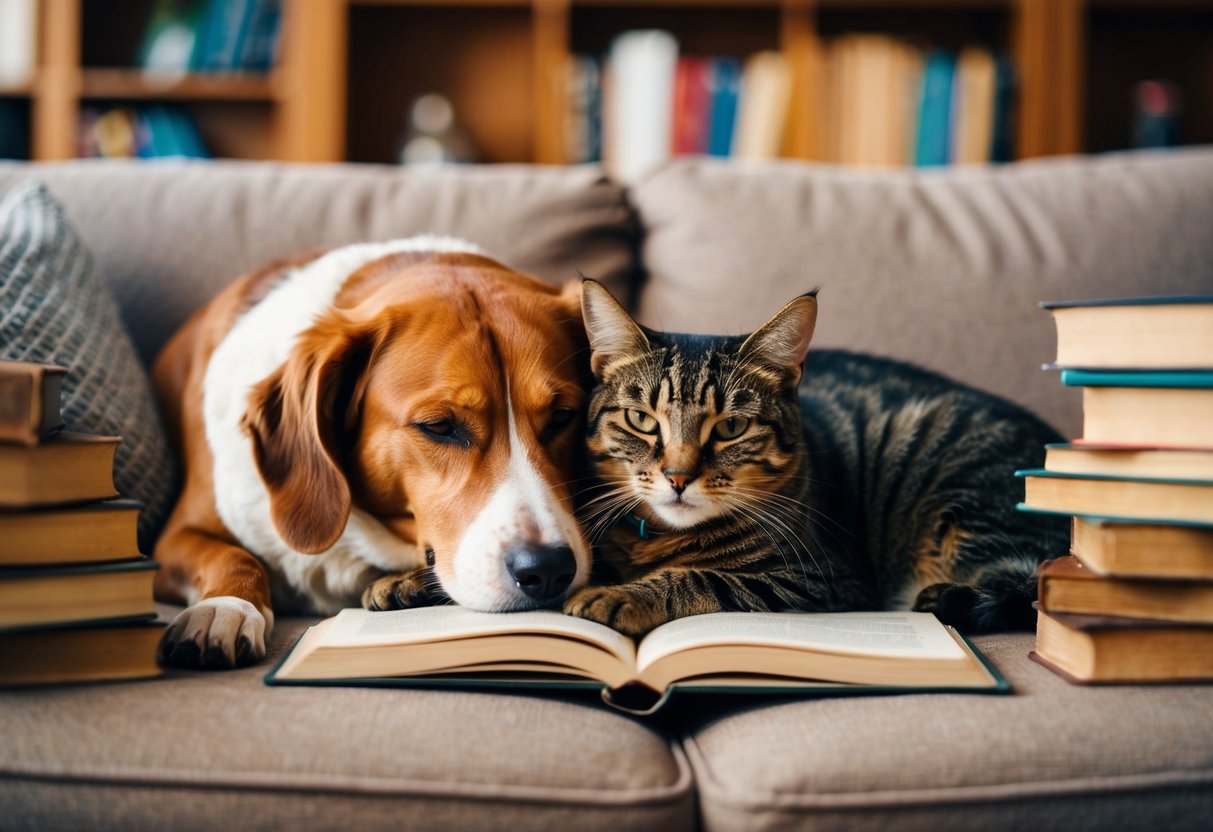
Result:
<point x="727" y="485"/>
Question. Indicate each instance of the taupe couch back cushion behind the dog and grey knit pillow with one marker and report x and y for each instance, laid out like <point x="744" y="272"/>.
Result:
<point x="168" y="236"/>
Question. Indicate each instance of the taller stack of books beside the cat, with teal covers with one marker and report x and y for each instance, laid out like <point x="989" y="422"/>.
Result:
<point x="1134" y="602"/>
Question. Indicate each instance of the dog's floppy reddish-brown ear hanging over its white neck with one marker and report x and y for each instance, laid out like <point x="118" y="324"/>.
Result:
<point x="297" y="419"/>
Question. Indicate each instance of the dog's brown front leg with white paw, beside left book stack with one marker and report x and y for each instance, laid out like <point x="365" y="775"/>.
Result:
<point x="230" y="619"/>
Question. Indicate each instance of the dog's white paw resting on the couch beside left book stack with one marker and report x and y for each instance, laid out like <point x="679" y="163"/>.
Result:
<point x="217" y="634"/>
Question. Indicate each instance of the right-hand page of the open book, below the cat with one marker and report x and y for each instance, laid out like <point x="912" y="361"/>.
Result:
<point x="881" y="635"/>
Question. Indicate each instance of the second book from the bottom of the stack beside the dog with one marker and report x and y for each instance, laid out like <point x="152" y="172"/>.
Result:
<point x="70" y="595"/>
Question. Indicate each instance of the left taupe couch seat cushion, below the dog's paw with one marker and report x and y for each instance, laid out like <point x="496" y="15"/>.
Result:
<point x="220" y="750"/>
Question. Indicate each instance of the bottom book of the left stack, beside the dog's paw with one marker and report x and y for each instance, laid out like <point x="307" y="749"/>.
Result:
<point x="113" y="651"/>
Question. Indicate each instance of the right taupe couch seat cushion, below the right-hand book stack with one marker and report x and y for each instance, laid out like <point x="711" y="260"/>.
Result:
<point x="1052" y="756"/>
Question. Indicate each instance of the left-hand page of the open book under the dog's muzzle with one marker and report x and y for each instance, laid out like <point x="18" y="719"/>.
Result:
<point x="358" y="628"/>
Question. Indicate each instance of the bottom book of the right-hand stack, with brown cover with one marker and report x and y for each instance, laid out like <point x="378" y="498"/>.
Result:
<point x="1087" y="649"/>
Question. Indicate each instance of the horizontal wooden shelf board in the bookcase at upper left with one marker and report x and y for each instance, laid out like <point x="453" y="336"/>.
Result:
<point x="134" y="84"/>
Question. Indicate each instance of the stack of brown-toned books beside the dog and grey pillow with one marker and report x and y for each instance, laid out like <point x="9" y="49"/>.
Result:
<point x="76" y="596"/>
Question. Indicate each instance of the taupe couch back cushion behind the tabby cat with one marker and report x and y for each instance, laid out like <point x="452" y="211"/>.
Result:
<point x="942" y="267"/>
